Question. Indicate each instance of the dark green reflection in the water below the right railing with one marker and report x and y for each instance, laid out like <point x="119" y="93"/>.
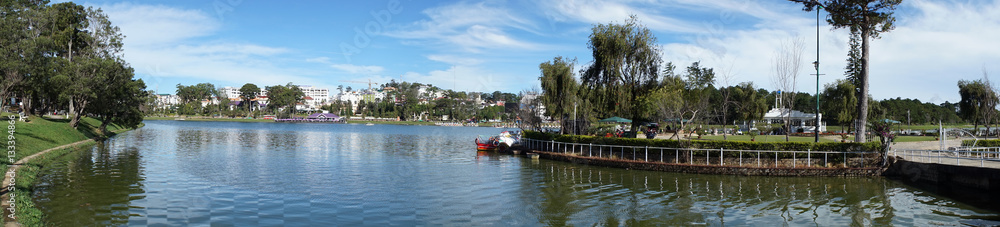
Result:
<point x="582" y="195"/>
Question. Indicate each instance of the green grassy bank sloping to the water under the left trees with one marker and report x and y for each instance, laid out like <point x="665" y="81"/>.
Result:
<point x="36" y="135"/>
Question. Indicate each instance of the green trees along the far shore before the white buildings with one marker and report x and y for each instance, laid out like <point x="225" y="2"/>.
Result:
<point x="403" y="100"/>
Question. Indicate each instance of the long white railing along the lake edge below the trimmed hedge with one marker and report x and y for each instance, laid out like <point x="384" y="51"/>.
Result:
<point x="713" y="157"/>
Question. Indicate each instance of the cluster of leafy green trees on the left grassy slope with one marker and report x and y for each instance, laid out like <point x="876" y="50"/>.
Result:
<point x="67" y="57"/>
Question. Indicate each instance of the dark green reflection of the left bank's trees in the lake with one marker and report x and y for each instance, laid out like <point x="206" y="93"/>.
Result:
<point x="95" y="186"/>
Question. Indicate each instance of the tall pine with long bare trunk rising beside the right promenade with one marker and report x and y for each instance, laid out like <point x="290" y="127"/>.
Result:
<point x="867" y="19"/>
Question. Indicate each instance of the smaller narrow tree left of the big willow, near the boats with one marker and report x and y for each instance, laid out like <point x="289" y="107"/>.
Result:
<point x="558" y="88"/>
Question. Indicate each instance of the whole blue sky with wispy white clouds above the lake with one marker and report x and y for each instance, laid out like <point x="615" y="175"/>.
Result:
<point x="498" y="45"/>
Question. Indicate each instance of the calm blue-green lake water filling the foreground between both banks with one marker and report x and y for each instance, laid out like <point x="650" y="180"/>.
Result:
<point x="180" y="173"/>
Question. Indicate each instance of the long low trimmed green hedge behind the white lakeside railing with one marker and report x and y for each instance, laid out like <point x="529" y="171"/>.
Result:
<point x="708" y="144"/>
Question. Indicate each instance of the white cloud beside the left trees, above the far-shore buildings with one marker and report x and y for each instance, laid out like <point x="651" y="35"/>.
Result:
<point x="165" y="42"/>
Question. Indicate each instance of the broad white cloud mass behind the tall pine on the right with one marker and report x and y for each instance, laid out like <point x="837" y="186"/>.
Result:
<point x="934" y="45"/>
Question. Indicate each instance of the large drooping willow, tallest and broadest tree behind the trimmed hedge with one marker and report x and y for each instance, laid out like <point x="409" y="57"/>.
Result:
<point x="624" y="71"/>
